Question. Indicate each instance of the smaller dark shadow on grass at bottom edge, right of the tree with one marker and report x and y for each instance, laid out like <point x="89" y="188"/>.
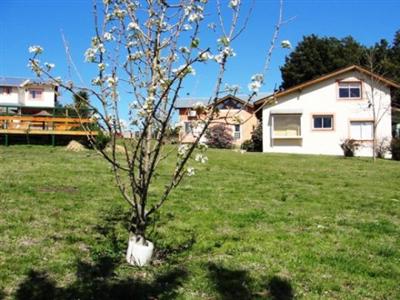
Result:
<point x="237" y="284"/>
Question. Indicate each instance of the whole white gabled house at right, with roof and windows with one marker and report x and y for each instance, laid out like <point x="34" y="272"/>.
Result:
<point x="317" y="116"/>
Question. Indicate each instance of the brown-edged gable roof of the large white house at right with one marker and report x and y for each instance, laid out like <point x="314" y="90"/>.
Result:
<point x="306" y="84"/>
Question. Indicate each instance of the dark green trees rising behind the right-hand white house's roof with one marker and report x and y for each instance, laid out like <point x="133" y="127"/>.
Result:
<point x="315" y="56"/>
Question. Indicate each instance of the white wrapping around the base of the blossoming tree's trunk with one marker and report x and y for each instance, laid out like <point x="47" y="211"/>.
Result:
<point x="139" y="252"/>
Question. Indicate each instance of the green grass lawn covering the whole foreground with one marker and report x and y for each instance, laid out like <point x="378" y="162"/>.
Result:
<point x="246" y="226"/>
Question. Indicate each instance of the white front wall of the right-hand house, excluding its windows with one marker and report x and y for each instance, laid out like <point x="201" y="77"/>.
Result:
<point x="322" y="98"/>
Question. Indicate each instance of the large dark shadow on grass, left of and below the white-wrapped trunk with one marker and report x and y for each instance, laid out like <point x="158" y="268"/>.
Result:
<point x="98" y="279"/>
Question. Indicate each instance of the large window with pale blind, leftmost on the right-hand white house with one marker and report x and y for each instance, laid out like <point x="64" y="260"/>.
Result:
<point x="288" y="126"/>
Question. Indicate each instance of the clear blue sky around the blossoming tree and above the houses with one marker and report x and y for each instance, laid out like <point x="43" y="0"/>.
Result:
<point x="28" y="22"/>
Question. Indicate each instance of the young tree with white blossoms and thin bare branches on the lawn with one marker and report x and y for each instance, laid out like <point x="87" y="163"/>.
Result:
<point x="149" y="49"/>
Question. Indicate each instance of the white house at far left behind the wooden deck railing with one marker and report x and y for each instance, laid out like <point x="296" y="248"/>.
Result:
<point x="23" y="92"/>
